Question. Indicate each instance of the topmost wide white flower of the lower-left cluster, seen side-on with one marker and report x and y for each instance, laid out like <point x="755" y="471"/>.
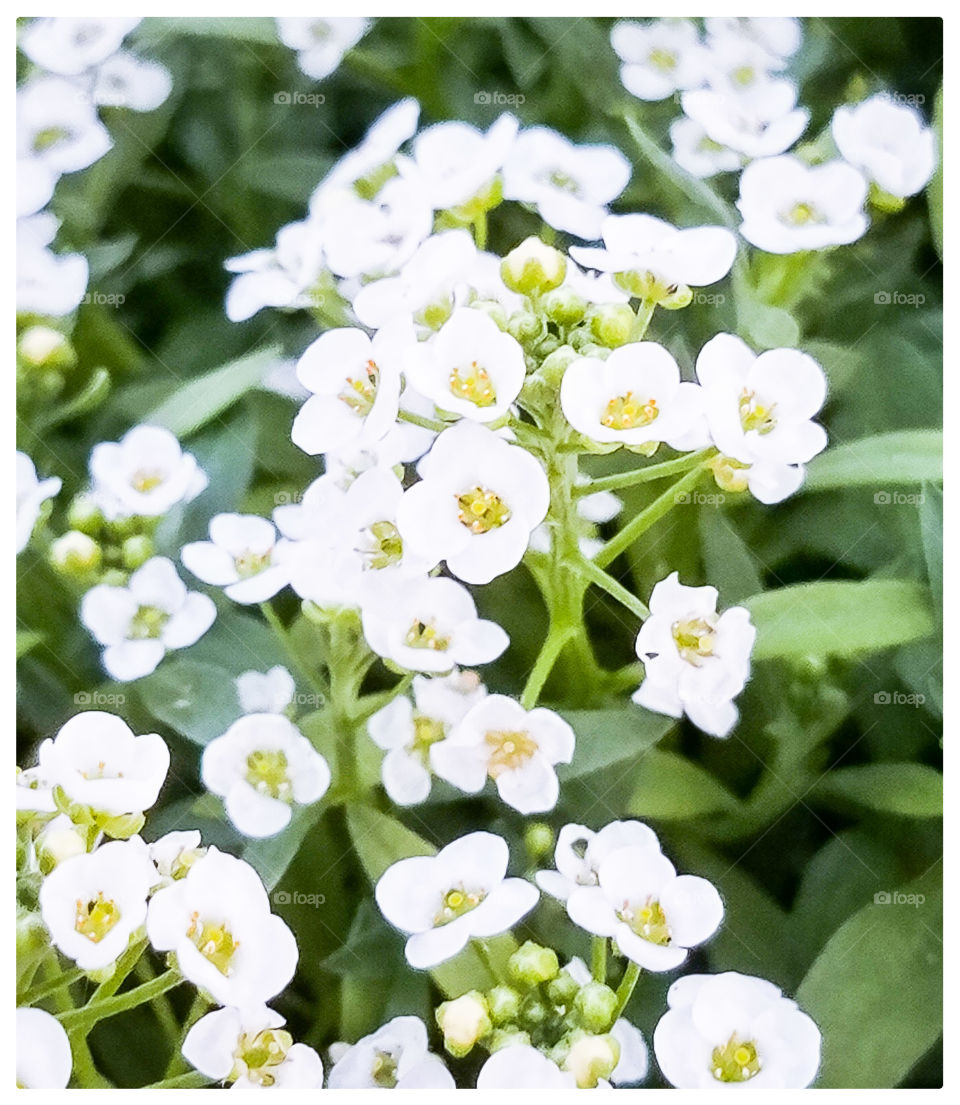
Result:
<point x="100" y="763"/>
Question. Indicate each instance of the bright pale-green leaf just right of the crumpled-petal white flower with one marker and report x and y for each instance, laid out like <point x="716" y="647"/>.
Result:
<point x="839" y="618"/>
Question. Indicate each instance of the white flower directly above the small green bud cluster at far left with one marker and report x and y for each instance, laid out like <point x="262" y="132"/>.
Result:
<point x="145" y="473"/>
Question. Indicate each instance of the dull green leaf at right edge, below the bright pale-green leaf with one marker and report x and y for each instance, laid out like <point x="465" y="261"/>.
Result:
<point x="912" y="791"/>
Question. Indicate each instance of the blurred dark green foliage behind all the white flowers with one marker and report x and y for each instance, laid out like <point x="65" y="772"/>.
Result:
<point x="826" y="795"/>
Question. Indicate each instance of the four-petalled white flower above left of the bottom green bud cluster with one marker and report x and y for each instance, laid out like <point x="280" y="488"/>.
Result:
<point x="448" y="899"/>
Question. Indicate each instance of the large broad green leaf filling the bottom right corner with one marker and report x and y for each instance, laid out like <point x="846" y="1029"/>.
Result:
<point x="877" y="990"/>
